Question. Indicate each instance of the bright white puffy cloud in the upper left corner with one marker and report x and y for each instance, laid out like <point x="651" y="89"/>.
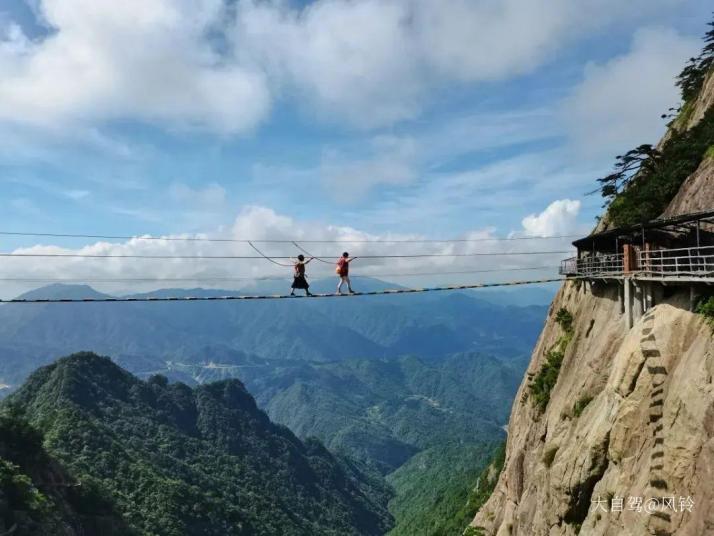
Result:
<point x="151" y="61"/>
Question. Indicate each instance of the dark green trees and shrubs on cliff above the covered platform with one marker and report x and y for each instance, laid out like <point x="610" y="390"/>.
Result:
<point x="645" y="179"/>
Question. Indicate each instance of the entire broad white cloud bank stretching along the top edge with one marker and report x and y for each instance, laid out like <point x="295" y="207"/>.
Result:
<point x="219" y="65"/>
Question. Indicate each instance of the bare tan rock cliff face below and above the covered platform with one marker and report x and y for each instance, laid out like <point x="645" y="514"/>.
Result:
<point x="623" y="444"/>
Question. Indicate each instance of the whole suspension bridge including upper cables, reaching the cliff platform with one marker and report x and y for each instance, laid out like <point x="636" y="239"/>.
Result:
<point x="280" y="260"/>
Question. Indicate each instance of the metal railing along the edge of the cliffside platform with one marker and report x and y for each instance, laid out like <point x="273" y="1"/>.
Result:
<point x="664" y="263"/>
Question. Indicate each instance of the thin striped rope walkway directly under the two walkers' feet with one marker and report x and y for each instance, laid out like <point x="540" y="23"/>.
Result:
<point x="279" y="296"/>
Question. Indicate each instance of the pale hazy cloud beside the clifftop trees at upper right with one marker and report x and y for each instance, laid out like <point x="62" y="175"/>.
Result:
<point x="618" y="104"/>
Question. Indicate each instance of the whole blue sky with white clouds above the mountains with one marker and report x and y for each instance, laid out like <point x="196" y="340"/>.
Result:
<point x="324" y="120"/>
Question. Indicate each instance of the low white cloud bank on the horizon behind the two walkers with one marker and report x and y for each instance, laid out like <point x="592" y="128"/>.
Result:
<point x="261" y="223"/>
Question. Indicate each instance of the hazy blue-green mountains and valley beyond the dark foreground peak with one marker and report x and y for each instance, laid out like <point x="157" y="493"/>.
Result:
<point x="413" y="387"/>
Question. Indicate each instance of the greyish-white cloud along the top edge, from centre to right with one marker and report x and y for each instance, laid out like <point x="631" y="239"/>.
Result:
<point x="374" y="62"/>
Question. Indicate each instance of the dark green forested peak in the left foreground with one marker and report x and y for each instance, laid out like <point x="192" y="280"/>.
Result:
<point x="200" y="461"/>
